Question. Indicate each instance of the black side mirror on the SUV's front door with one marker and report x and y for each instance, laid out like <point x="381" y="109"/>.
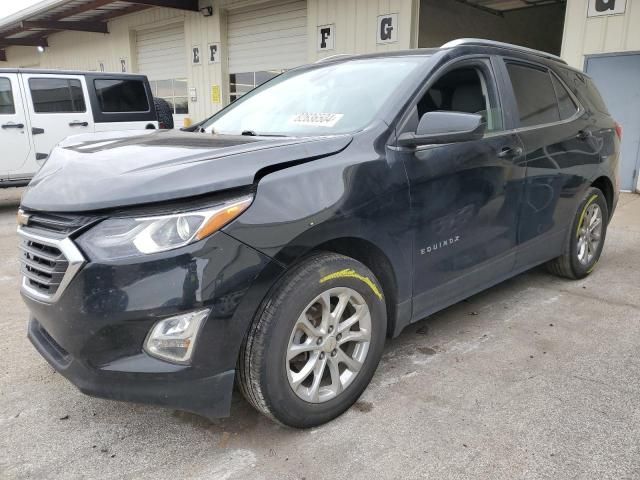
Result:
<point x="445" y="127"/>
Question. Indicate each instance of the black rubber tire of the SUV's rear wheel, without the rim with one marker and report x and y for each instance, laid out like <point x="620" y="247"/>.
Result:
<point x="568" y="264"/>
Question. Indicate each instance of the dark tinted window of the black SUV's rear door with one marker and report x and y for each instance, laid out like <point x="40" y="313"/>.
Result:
<point x="535" y="95"/>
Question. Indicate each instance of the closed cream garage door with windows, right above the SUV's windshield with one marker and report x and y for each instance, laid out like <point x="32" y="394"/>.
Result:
<point x="265" y="41"/>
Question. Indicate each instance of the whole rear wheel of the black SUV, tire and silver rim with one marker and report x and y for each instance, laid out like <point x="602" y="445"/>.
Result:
<point x="586" y="240"/>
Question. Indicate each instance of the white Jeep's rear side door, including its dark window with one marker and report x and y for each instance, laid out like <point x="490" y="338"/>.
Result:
<point x="59" y="107"/>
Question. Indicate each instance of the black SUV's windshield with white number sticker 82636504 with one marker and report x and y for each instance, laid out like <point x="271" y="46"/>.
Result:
<point x="329" y="99"/>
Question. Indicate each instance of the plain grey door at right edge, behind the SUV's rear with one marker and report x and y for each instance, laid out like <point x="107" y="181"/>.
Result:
<point x="618" y="79"/>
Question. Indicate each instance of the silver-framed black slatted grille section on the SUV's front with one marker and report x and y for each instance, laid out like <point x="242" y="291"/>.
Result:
<point x="43" y="266"/>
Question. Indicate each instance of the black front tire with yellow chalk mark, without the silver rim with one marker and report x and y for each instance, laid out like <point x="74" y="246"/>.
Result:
<point x="263" y="366"/>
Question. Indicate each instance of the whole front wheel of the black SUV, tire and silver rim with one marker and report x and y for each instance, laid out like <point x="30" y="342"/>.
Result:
<point x="316" y="343"/>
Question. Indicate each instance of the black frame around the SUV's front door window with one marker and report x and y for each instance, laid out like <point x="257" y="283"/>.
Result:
<point x="483" y="61"/>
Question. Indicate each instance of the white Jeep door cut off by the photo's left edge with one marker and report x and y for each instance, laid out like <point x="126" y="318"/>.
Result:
<point x="14" y="134"/>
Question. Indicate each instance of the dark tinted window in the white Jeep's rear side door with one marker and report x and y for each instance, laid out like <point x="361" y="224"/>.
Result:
<point x="57" y="95"/>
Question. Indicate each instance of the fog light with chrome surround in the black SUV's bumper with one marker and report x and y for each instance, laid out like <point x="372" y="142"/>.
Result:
<point x="173" y="339"/>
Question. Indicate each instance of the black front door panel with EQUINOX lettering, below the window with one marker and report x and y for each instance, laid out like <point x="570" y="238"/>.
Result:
<point x="465" y="201"/>
